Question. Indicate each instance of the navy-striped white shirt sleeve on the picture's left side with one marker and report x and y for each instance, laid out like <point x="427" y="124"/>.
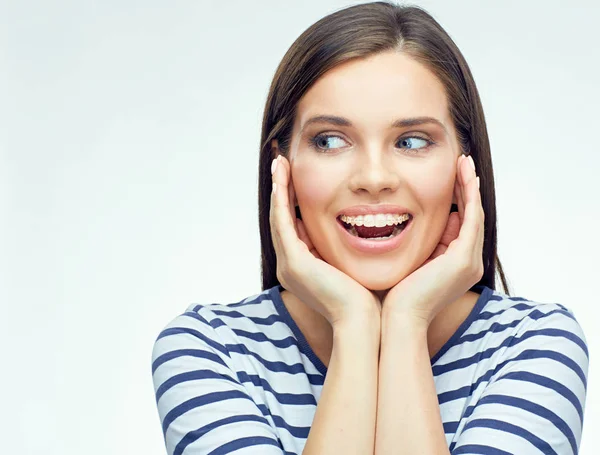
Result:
<point x="202" y="405"/>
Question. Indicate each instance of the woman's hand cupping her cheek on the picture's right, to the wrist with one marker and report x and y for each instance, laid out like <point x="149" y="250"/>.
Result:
<point x="455" y="265"/>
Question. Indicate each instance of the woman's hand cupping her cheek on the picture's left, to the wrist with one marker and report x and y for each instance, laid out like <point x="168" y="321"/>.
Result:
<point x="300" y="268"/>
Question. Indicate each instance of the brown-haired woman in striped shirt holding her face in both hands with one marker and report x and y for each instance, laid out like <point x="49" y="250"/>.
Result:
<point x="379" y="328"/>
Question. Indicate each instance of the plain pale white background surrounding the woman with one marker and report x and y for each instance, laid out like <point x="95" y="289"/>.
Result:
<point x="129" y="136"/>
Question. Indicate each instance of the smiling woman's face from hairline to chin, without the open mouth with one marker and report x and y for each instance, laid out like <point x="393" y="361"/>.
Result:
<point x="370" y="162"/>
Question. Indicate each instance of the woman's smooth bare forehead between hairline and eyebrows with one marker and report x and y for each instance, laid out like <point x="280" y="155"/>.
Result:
<point x="374" y="91"/>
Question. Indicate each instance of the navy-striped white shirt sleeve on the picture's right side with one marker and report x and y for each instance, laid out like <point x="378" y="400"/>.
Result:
<point x="535" y="400"/>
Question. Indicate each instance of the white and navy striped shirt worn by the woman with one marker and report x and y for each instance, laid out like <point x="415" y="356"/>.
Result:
<point x="241" y="378"/>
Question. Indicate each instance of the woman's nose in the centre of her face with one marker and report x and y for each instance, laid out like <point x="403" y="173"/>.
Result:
<point x="374" y="173"/>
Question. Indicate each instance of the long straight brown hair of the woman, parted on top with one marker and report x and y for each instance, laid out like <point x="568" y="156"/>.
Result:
<point x="360" y="31"/>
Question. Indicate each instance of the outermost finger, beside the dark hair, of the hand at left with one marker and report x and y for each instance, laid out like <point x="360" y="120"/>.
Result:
<point x="282" y="225"/>
